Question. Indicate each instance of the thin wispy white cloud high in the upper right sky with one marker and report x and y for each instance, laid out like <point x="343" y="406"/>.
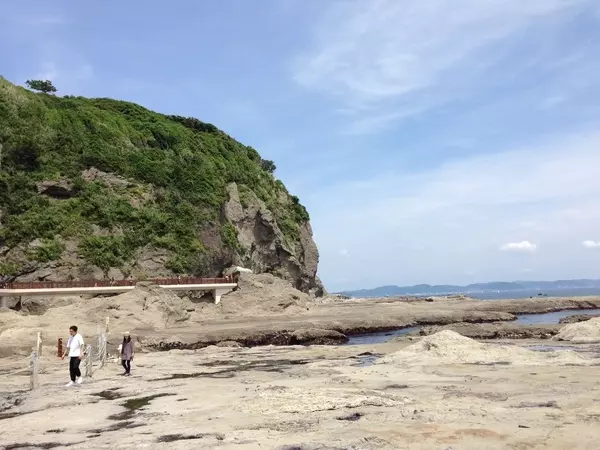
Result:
<point x="390" y="59"/>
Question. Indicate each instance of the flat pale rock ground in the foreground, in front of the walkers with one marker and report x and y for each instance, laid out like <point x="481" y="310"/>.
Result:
<point x="422" y="394"/>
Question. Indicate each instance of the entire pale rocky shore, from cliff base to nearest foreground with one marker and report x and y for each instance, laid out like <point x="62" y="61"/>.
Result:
<point x="267" y="368"/>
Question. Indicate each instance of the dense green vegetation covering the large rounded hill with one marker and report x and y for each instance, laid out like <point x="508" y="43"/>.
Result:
<point x="180" y="166"/>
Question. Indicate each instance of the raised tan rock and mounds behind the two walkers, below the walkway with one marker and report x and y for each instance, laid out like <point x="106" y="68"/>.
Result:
<point x="265" y="310"/>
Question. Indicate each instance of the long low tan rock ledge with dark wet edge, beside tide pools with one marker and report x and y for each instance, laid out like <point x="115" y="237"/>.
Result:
<point x="356" y="318"/>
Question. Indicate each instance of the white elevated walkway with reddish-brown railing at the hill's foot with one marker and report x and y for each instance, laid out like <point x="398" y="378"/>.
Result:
<point x="218" y="286"/>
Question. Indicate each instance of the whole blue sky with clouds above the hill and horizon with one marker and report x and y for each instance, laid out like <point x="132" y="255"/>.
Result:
<point x="432" y="142"/>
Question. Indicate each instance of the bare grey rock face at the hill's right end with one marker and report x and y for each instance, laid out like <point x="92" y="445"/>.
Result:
<point x="264" y="248"/>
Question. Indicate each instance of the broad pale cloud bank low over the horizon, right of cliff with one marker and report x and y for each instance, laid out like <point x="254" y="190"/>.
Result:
<point x="461" y="211"/>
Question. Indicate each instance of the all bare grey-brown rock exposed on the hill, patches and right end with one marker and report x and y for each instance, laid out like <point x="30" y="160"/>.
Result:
<point x="261" y="246"/>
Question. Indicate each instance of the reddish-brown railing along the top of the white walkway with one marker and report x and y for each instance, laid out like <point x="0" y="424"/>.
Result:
<point x="109" y="283"/>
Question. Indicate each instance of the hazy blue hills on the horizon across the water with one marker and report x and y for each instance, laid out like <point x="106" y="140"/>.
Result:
<point x="423" y="289"/>
